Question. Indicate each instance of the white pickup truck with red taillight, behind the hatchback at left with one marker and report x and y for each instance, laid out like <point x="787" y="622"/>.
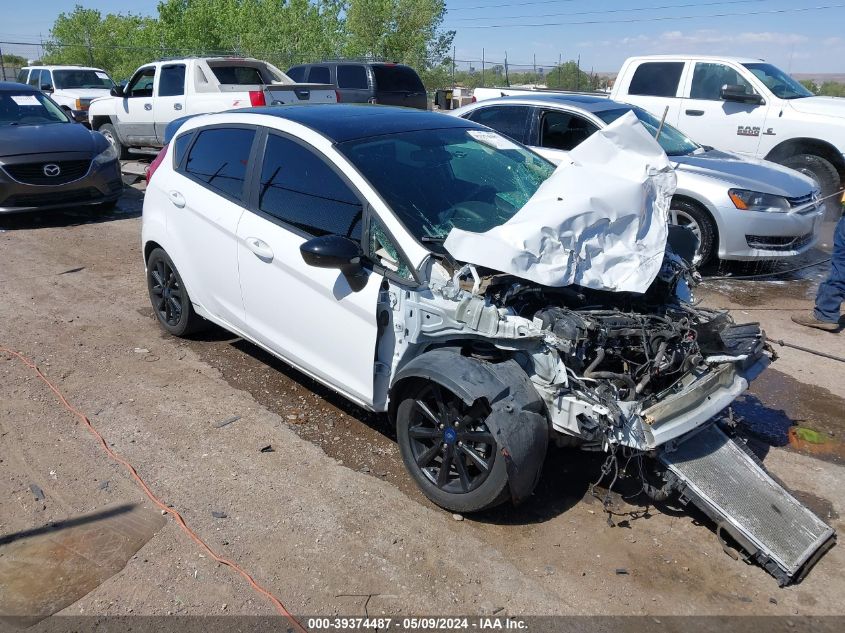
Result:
<point x="136" y="116"/>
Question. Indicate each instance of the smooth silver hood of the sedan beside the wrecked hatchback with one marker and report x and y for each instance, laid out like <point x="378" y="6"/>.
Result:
<point x="745" y="173"/>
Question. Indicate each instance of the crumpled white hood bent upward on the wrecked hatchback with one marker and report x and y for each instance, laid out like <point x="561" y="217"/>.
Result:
<point x="599" y="221"/>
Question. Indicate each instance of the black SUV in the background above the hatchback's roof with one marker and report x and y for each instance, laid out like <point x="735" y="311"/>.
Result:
<point x="367" y="82"/>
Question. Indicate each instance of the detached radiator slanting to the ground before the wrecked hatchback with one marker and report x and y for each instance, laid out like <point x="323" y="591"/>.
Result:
<point x="774" y="529"/>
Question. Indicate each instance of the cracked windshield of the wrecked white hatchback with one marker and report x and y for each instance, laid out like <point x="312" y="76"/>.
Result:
<point x="436" y="180"/>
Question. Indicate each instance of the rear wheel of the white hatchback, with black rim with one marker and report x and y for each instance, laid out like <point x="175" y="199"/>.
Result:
<point x="169" y="297"/>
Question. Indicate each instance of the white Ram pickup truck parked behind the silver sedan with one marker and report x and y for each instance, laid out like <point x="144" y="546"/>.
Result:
<point x="742" y="105"/>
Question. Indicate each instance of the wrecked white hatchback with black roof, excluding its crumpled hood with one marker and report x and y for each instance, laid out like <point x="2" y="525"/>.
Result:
<point x="317" y="233"/>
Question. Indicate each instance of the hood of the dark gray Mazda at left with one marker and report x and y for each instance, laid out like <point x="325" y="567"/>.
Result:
<point x="17" y="140"/>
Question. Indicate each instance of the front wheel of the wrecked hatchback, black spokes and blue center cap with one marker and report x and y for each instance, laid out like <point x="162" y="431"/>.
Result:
<point x="448" y="450"/>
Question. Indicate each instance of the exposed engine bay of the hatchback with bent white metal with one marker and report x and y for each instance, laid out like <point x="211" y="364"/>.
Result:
<point x="605" y="363"/>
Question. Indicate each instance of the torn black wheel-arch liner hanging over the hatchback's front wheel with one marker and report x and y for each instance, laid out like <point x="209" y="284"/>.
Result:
<point x="517" y="419"/>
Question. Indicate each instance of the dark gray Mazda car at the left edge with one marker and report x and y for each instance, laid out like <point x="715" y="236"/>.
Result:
<point x="46" y="160"/>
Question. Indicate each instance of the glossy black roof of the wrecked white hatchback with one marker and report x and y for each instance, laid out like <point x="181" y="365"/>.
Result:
<point x="345" y="122"/>
